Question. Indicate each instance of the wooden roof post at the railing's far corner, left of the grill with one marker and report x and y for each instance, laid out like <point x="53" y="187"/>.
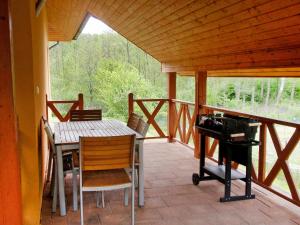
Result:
<point x="171" y="111"/>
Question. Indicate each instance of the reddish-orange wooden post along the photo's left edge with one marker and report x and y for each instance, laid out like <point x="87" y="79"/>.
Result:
<point x="10" y="178"/>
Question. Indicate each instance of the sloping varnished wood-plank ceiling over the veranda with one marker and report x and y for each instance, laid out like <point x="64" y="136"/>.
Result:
<point x="192" y="35"/>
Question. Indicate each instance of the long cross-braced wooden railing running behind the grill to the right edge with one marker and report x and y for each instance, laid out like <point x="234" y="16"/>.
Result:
<point x="184" y="114"/>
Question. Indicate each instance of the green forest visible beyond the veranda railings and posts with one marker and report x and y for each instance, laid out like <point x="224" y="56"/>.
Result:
<point x="106" y="67"/>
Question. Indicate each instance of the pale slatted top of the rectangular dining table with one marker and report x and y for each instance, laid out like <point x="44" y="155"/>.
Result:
<point x="69" y="132"/>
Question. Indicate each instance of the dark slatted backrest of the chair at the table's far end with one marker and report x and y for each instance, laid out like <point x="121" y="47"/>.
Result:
<point x="86" y="114"/>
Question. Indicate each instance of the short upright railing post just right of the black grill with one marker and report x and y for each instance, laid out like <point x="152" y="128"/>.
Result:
<point x="262" y="153"/>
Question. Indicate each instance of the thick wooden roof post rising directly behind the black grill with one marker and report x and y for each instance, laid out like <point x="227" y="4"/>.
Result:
<point x="200" y="99"/>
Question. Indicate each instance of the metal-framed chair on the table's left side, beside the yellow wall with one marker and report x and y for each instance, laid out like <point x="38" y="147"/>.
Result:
<point x="54" y="179"/>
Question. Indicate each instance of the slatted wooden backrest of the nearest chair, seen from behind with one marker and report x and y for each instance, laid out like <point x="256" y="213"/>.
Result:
<point x="105" y="153"/>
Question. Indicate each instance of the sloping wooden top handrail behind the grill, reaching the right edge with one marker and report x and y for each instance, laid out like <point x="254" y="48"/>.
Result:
<point x="253" y="116"/>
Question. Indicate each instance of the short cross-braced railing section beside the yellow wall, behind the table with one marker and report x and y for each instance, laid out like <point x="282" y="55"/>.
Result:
<point x="73" y="104"/>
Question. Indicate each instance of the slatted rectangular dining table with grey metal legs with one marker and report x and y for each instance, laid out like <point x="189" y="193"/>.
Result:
<point x="67" y="137"/>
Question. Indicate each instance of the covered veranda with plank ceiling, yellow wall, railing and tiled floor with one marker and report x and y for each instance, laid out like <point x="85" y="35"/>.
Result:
<point x="199" y="38"/>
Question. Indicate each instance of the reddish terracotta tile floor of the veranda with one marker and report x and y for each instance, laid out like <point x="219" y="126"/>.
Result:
<point x="171" y="198"/>
